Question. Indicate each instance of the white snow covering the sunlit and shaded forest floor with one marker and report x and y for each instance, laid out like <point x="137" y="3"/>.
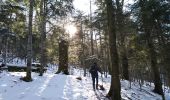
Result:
<point x="65" y="87"/>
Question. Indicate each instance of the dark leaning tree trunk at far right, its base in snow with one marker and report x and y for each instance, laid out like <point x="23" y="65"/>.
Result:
<point x="148" y="24"/>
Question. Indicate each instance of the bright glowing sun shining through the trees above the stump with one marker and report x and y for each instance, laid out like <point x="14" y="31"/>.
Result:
<point x="71" y="29"/>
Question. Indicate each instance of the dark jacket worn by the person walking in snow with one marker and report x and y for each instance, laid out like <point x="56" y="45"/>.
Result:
<point x="94" y="70"/>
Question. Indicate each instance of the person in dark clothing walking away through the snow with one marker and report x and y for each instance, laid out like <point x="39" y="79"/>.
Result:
<point x="94" y="69"/>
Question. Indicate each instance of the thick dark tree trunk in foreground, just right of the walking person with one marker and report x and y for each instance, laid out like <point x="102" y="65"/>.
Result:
<point x="115" y="84"/>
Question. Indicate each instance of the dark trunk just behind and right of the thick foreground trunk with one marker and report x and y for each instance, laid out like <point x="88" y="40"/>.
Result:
<point x="123" y="55"/>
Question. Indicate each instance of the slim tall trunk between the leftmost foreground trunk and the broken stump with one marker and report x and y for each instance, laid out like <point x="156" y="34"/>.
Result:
<point x="43" y="35"/>
